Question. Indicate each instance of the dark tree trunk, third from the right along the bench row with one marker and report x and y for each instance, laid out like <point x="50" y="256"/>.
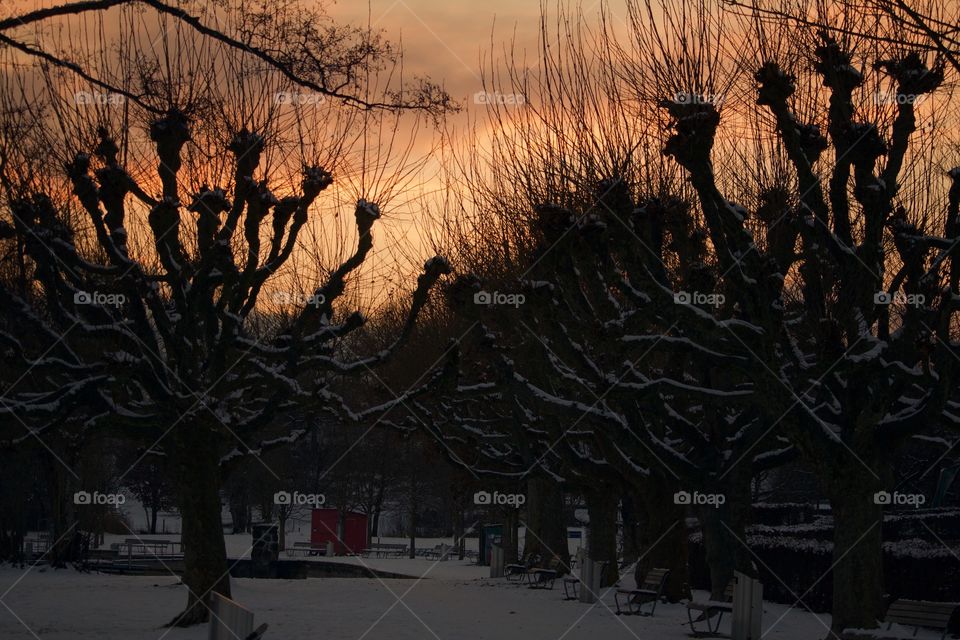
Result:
<point x="662" y="535"/>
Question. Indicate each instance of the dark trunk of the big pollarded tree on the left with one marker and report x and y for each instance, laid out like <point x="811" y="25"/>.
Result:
<point x="197" y="488"/>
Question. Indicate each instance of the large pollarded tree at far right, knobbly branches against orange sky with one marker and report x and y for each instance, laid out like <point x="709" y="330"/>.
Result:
<point x="851" y="322"/>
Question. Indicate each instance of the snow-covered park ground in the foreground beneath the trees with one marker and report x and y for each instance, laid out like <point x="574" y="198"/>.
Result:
<point x="450" y="602"/>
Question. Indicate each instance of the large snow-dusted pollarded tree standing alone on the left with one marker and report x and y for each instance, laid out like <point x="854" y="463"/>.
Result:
<point x="182" y="199"/>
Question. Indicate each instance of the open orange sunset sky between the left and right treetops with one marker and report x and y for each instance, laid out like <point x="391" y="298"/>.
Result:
<point x="452" y="42"/>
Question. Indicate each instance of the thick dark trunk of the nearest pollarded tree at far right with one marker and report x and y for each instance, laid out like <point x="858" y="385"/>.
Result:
<point x="857" y="550"/>
